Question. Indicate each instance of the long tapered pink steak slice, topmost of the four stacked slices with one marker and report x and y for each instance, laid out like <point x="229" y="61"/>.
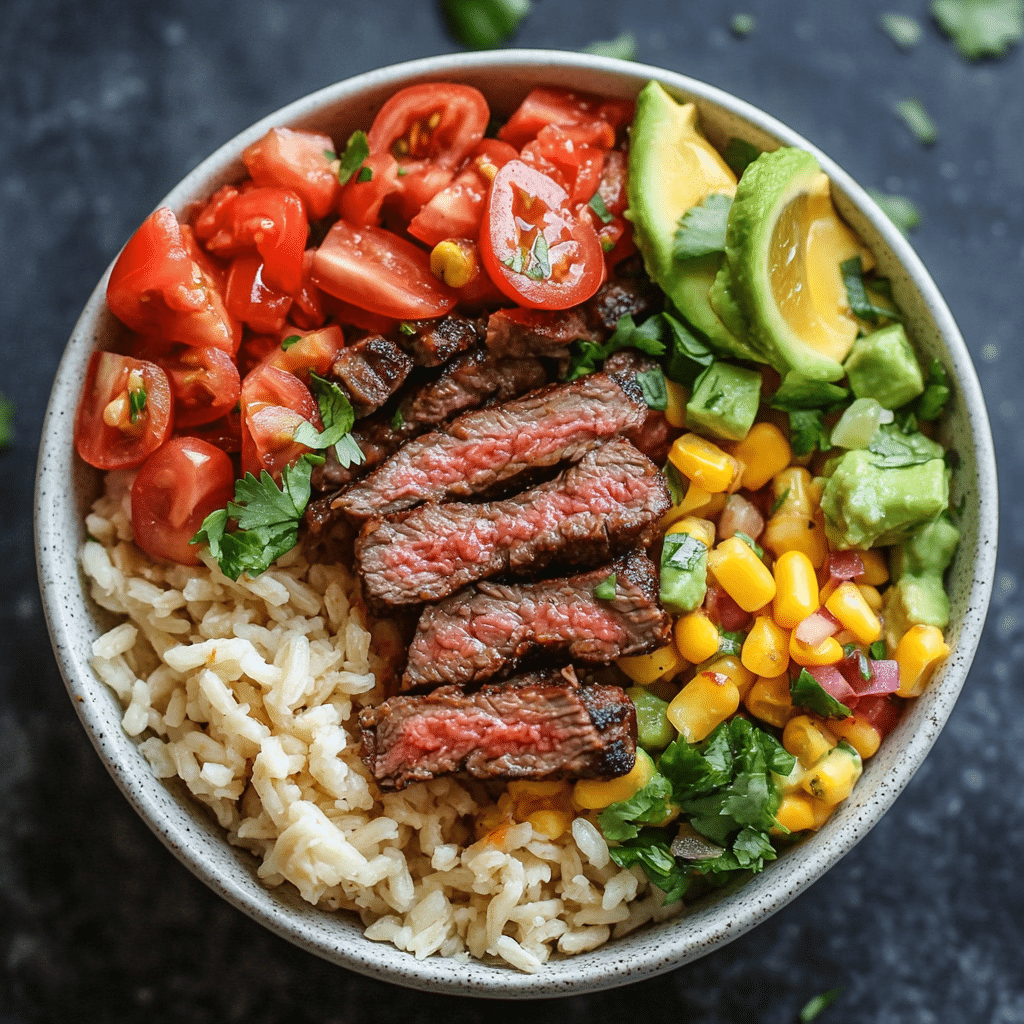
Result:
<point x="485" y="448"/>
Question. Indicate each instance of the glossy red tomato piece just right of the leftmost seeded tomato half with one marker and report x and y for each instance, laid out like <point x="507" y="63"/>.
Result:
<point x="204" y="382"/>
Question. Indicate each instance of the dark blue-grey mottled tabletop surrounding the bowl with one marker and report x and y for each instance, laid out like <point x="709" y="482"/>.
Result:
<point x="104" y="106"/>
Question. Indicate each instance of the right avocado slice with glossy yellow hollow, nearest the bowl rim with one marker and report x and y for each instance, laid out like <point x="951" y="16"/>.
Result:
<point x="785" y="245"/>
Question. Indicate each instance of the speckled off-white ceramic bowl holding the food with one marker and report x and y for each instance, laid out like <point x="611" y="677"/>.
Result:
<point x="66" y="488"/>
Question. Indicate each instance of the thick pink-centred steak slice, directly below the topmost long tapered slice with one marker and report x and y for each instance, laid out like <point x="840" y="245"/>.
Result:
<point x="609" y="503"/>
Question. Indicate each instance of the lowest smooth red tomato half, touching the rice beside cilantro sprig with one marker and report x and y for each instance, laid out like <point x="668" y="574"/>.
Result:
<point x="177" y="489"/>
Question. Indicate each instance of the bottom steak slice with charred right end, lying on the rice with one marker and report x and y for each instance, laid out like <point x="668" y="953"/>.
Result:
<point x="535" y="731"/>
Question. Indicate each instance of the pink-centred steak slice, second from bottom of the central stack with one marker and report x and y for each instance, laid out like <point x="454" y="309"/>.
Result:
<point x="484" y="630"/>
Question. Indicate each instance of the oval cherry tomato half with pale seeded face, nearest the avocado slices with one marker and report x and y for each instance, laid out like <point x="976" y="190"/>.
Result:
<point x="537" y="249"/>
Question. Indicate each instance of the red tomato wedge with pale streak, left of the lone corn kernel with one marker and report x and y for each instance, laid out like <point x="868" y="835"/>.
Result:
<point x="376" y="271"/>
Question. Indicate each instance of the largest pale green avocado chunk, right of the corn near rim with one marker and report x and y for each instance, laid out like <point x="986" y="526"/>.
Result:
<point x="866" y="505"/>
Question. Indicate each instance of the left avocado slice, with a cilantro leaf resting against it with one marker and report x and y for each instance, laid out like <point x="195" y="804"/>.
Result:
<point x="673" y="168"/>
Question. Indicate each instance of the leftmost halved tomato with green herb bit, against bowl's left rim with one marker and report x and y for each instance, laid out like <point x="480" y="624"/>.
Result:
<point x="124" y="413"/>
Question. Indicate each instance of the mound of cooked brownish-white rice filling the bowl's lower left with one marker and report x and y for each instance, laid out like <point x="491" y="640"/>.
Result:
<point x="249" y="693"/>
